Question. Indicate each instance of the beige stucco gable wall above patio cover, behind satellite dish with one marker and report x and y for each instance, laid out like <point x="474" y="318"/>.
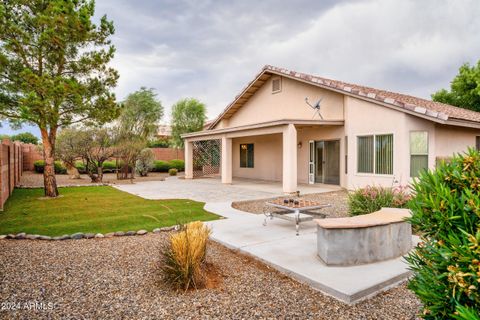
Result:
<point x="289" y="103"/>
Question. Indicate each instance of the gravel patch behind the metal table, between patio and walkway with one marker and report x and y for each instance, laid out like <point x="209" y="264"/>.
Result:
<point x="338" y="200"/>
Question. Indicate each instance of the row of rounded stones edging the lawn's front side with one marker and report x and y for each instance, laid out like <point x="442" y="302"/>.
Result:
<point x="81" y="235"/>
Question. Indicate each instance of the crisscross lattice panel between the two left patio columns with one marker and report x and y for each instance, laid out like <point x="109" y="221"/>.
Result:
<point x="206" y="158"/>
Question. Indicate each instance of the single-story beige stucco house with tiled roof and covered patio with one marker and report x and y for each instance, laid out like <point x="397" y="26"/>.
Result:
<point x="358" y="136"/>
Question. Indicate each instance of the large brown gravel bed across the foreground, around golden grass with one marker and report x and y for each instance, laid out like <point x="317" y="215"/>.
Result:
<point x="118" y="278"/>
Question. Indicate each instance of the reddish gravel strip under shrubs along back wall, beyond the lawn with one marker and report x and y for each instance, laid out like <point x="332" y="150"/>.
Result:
<point x="33" y="179"/>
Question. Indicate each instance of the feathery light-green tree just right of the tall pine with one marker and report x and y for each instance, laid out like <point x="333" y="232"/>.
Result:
<point x="137" y="124"/>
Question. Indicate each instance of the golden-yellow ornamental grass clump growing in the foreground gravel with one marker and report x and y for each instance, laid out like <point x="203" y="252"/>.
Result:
<point x="184" y="257"/>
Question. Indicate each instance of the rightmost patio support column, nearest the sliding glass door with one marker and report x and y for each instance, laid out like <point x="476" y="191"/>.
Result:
<point x="290" y="159"/>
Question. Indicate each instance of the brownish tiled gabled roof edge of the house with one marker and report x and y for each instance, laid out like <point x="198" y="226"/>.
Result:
<point x="435" y="111"/>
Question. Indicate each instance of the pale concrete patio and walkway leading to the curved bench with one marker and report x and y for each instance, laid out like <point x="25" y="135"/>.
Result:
<point x="276" y="244"/>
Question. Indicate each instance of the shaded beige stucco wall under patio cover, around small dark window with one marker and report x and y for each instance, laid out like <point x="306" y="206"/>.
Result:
<point x="267" y="158"/>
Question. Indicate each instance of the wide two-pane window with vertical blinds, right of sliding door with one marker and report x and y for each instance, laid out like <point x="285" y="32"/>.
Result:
<point x="375" y="154"/>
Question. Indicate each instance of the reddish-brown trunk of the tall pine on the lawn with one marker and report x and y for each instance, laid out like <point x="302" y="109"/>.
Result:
<point x="49" y="181"/>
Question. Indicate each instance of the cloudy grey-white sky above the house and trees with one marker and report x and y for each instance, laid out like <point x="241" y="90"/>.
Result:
<point x="211" y="49"/>
